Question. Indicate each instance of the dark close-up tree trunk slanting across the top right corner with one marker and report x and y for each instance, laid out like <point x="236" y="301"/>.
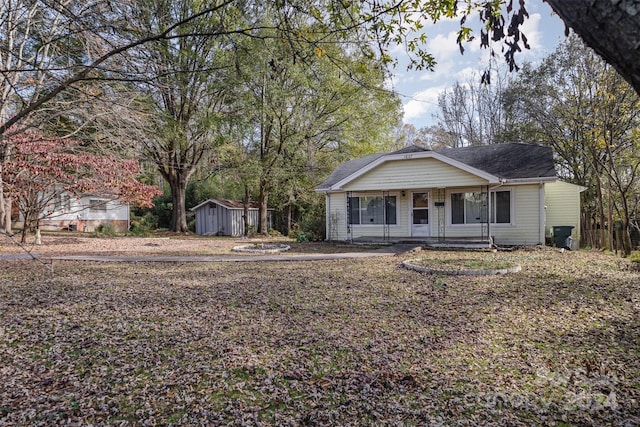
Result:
<point x="609" y="27"/>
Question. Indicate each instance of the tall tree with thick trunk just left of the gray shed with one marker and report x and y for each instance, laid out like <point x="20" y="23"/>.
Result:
<point x="185" y="92"/>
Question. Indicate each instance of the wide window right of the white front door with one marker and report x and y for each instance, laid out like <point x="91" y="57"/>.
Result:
<point x="471" y="207"/>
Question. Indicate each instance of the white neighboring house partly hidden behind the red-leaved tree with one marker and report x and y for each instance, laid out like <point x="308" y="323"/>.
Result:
<point x="85" y="213"/>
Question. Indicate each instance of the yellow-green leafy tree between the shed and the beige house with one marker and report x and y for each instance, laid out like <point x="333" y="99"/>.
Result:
<point x="301" y="106"/>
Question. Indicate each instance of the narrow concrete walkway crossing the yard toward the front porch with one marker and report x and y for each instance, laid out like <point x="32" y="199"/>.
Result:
<point x="385" y="251"/>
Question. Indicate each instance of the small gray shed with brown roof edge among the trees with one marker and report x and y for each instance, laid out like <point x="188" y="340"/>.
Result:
<point x="220" y="217"/>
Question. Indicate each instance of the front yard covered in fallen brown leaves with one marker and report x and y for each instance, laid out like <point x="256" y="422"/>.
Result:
<point x="359" y="342"/>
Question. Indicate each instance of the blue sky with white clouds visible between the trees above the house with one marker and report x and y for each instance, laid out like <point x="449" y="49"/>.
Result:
<point x="419" y="90"/>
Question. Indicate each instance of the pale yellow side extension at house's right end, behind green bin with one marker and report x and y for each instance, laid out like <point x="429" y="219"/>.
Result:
<point x="562" y="201"/>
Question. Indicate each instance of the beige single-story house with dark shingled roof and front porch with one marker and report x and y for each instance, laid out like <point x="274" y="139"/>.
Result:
<point x="507" y="194"/>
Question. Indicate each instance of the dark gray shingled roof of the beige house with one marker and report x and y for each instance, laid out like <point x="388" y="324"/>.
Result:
<point x="505" y="161"/>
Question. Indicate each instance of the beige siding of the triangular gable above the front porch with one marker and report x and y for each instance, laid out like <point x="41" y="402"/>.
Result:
<point x="413" y="174"/>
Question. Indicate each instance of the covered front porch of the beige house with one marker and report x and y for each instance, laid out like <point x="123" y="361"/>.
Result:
<point x="434" y="216"/>
